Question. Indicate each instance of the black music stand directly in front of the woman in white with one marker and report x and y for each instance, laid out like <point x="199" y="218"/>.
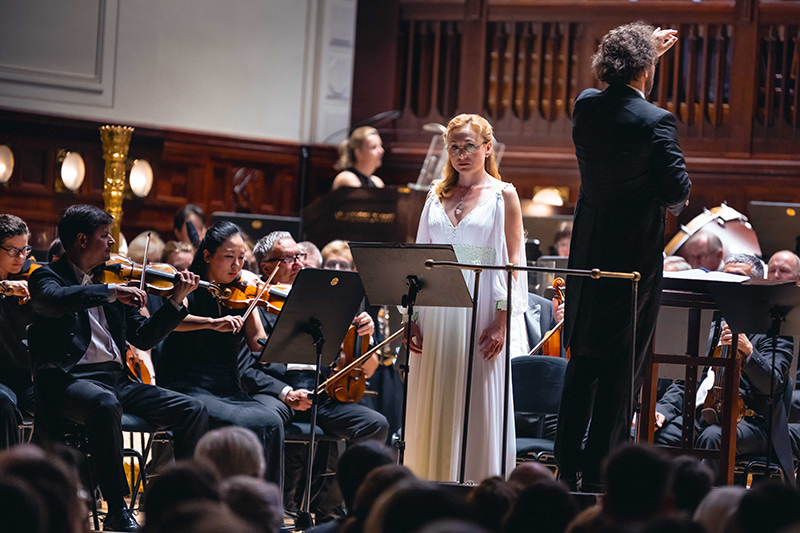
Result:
<point x="395" y="274"/>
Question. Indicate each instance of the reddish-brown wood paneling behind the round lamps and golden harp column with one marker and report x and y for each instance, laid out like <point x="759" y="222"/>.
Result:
<point x="219" y="173"/>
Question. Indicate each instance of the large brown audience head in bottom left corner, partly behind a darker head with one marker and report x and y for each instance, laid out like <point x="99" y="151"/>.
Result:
<point x="54" y="482"/>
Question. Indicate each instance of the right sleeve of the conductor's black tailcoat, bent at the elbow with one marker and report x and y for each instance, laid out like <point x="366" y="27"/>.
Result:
<point x="669" y="167"/>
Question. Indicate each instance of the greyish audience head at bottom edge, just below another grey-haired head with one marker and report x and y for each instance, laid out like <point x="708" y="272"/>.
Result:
<point x="255" y="501"/>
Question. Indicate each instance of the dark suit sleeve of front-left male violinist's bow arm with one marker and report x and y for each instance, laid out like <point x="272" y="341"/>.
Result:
<point x="52" y="299"/>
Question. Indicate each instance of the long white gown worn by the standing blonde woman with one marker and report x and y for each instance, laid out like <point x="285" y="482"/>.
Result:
<point x="436" y="388"/>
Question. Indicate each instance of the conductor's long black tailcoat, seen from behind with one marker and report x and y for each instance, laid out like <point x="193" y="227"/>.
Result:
<point x="632" y="171"/>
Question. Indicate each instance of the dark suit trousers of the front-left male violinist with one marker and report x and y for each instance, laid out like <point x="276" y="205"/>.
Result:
<point x="95" y="397"/>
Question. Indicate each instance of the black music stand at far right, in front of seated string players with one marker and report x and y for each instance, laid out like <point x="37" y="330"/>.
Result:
<point x="760" y="306"/>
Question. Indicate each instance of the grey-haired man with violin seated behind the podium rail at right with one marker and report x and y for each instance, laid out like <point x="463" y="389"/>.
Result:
<point x="755" y="353"/>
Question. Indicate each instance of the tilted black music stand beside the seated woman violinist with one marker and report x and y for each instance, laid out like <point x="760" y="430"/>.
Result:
<point x="317" y="312"/>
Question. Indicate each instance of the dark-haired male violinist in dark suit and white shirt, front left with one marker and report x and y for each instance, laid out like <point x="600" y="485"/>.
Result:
<point x="77" y="343"/>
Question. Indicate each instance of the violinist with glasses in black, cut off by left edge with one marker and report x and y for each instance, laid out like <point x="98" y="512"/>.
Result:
<point x="16" y="386"/>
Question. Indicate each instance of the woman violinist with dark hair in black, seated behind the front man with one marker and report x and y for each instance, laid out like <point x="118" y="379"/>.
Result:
<point x="200" y="357"/>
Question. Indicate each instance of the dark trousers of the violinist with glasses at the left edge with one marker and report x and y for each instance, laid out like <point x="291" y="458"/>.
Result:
<point x="16" y="400"/>
